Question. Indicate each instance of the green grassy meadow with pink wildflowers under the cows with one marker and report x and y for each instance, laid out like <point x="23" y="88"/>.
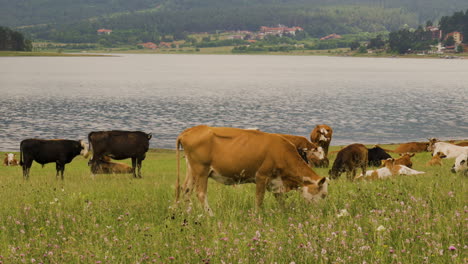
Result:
<point x="118" y="219"/>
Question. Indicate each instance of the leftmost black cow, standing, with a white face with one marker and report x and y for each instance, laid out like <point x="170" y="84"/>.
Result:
<point x="60" y="151"/>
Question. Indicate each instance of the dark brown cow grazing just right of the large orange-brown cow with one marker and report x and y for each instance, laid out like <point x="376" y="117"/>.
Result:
<point x="348" y="160"/>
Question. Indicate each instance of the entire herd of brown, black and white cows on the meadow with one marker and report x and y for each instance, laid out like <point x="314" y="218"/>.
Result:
<point x="275" y="162"/>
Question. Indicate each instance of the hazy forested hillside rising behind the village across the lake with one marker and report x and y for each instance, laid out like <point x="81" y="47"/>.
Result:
<point x="148" y="20"/>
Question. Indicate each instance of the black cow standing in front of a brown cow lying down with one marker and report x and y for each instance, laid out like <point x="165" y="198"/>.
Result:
<point x="119" y="145"/>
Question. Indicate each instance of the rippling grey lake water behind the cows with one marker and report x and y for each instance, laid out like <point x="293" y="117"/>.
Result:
<point x="364" y="100"/>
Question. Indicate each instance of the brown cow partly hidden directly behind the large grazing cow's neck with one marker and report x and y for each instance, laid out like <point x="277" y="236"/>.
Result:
<point x="310" y="152"/>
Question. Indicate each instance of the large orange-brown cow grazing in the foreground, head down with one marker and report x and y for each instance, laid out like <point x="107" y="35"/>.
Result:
<point x="236" y="156"/>
